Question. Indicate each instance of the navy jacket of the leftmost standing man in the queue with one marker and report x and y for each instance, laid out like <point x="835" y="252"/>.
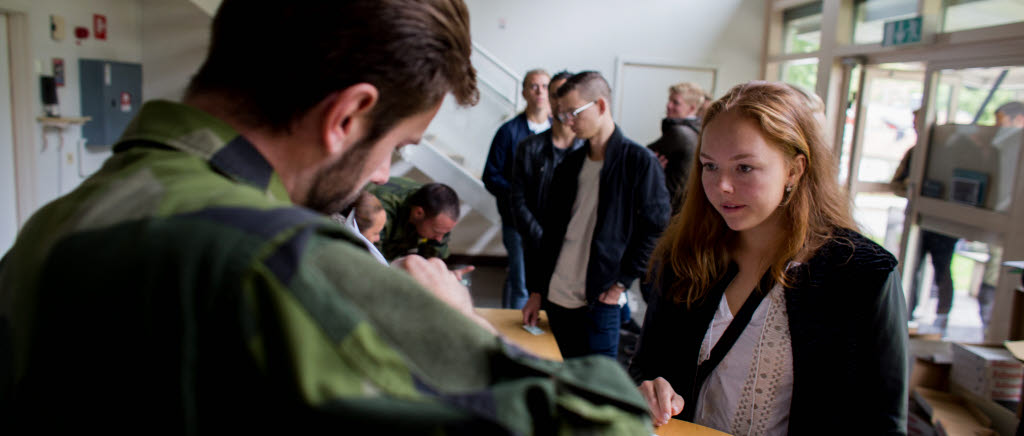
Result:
<point x="502" y="149"/>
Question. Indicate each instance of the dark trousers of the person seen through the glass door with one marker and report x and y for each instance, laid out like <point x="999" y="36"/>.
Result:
<point x="942" y="248"/>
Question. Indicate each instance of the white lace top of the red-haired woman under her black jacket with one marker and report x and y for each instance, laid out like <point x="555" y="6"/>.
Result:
<point x="750" y="391"/>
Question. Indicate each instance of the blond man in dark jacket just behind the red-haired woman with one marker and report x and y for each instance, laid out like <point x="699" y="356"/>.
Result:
<point x="680" y="132"/>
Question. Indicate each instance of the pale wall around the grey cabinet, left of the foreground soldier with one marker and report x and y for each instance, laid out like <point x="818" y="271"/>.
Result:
<point x="60" y="169"/>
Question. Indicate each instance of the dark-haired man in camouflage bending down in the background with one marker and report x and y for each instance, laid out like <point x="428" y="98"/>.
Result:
<point x="420" y="219"/>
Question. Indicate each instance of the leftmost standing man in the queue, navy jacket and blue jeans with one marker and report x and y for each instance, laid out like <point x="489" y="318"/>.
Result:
<point x="535" y="119"/>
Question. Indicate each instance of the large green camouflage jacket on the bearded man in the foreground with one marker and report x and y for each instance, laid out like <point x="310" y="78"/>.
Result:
<point x="179" y="290"/>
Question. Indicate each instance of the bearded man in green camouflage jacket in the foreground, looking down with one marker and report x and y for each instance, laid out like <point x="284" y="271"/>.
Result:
<point x="193" y="285"/>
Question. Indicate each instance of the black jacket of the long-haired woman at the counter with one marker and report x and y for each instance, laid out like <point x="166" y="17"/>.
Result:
<point x="848" y="325"/>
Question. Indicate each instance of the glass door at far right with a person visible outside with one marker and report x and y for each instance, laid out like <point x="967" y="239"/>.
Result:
<point x="967" y="202"/>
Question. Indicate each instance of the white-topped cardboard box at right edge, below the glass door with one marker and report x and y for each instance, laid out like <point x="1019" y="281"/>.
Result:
<point x="988" y="372"/>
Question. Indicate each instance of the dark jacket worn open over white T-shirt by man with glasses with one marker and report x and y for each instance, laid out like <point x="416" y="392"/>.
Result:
<point x="632" y="211"/>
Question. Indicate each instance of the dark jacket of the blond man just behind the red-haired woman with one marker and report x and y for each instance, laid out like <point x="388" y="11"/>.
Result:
<point x="678" y="143"/>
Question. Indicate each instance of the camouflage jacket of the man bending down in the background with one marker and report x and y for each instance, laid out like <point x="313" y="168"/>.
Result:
<point x="399" y="238"/>
